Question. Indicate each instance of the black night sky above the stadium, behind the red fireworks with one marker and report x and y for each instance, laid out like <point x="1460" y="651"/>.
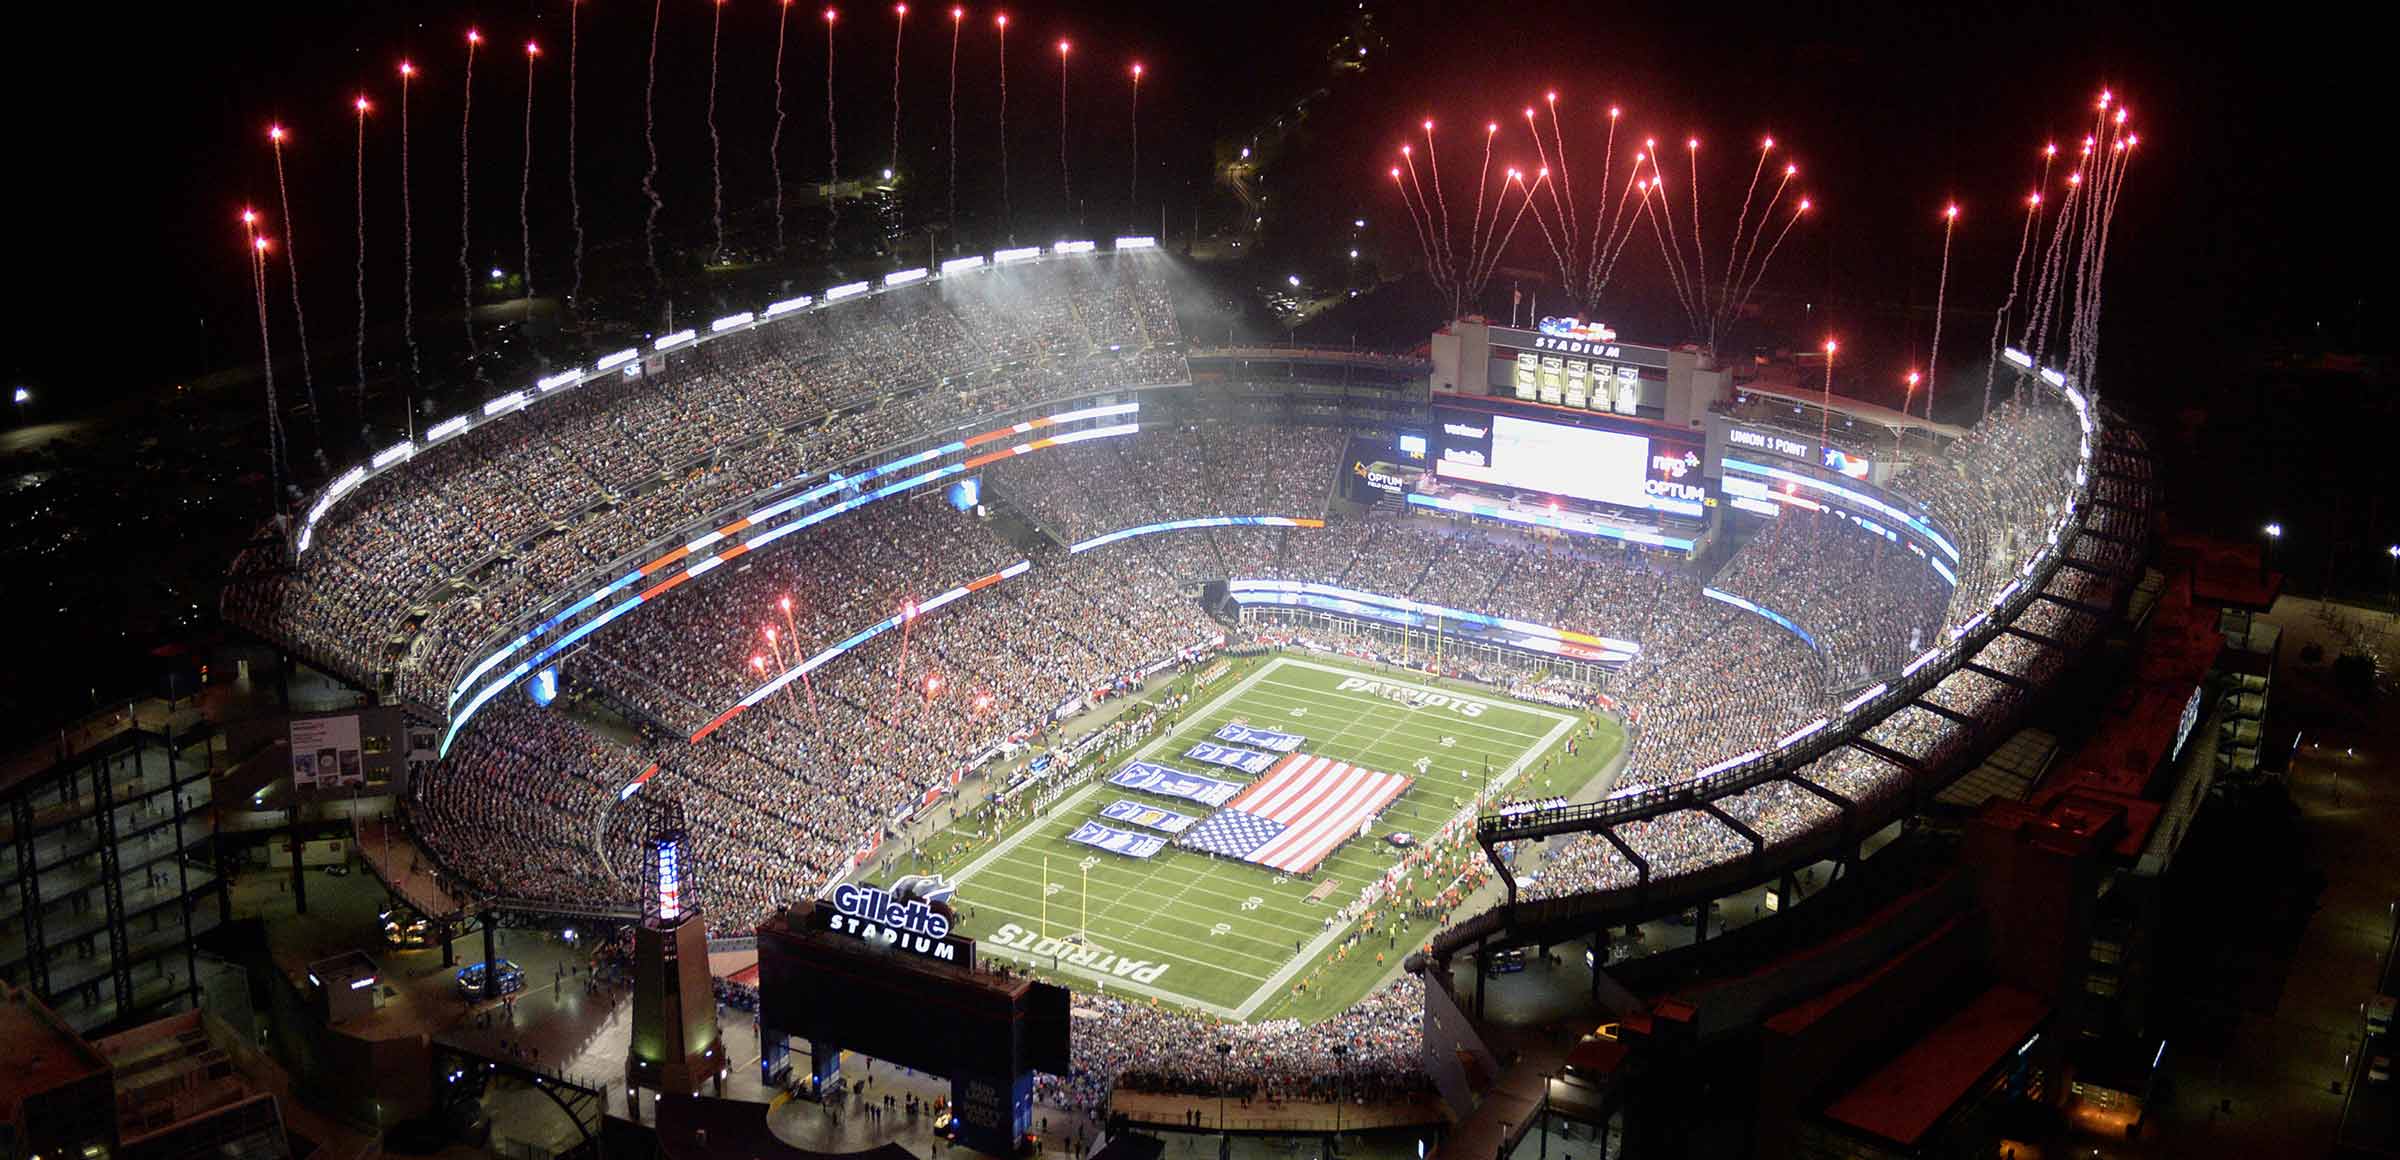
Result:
<point x="2238" y="225"/>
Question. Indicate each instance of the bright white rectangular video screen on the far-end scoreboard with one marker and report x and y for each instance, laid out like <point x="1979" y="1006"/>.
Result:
<point x="1590" y="465"/>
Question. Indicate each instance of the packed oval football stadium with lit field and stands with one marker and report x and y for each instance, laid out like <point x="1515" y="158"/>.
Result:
<point x="1388" y="683"/>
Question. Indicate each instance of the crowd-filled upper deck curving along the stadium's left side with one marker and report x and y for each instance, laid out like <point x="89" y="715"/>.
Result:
<point x="462" y="542"/>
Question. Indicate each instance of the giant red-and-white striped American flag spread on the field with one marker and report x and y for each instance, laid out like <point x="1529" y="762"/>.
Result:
<point x="1297" y="815"/>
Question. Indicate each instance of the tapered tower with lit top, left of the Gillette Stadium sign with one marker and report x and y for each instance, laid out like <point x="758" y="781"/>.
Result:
<point x="676" y="1015"/>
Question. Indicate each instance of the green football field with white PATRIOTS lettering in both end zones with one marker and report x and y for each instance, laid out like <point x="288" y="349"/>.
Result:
<point x="1228" y="935"/>
